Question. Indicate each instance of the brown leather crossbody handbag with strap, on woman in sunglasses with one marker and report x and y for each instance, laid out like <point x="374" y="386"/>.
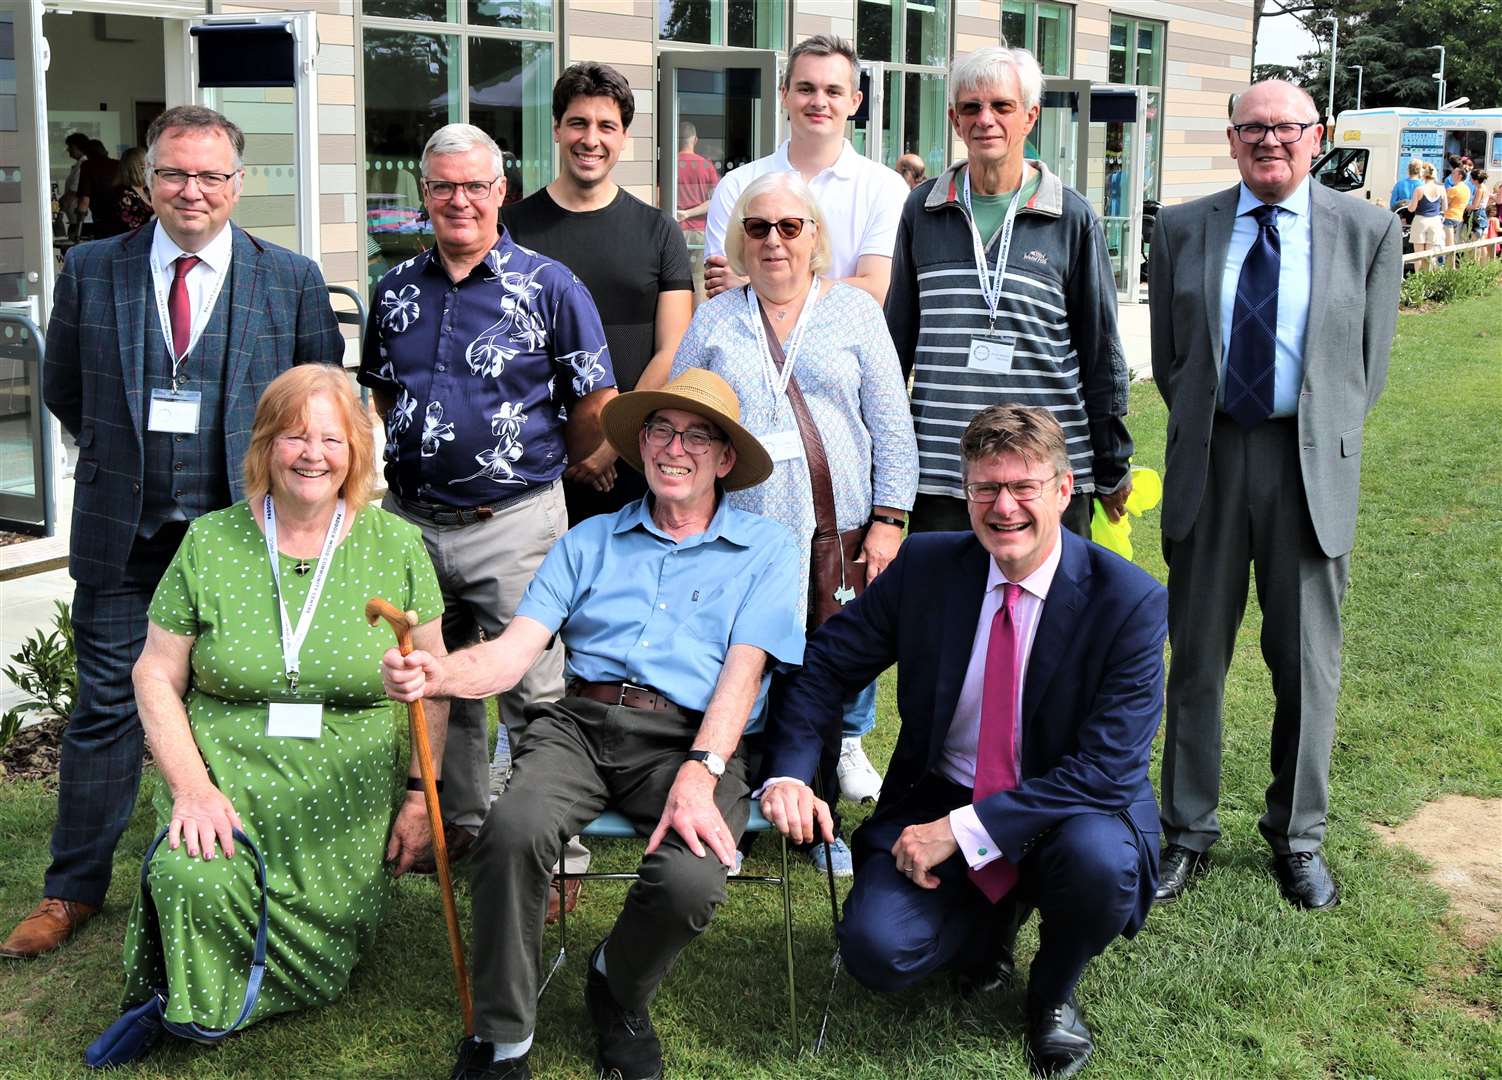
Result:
<point x="836" y="573"/>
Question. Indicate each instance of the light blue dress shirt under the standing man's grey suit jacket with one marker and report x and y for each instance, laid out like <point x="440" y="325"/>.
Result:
<point x="1295" y="277"/>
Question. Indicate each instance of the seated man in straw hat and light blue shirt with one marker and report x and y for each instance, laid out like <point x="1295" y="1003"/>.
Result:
<point x="672" y="611"/>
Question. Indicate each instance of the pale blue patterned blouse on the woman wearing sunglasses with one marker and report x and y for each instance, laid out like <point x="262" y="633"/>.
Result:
<point x="851" y="379"/>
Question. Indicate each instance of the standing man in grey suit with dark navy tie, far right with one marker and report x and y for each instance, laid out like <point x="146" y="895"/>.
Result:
<point x="1268" y="385"/>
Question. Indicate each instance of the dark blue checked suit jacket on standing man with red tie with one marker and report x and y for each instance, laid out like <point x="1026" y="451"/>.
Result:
<point x="95" y="372"/>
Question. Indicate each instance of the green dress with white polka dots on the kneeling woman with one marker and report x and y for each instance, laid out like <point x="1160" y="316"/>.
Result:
<point x="319" y="810"/>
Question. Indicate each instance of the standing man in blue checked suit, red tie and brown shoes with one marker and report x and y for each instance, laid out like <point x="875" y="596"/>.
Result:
<point x="158" y="349"/>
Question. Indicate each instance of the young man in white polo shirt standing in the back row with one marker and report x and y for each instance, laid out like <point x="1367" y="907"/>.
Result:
<point x="861" y="199"/>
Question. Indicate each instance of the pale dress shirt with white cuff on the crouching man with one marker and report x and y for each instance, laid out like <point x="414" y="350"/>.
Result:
<point x="958" y="759"/>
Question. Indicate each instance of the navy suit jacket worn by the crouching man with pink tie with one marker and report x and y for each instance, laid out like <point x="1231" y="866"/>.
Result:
<point x="1093" y="693"/>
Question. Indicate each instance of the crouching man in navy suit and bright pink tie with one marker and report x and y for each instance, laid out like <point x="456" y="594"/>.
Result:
<point x="1030" y="689"/>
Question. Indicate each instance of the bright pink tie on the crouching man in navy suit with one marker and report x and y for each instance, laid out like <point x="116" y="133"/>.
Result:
<point x="997" y="749"/>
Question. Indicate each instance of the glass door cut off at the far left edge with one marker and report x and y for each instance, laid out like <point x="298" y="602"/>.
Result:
<point x="26" y="246"/>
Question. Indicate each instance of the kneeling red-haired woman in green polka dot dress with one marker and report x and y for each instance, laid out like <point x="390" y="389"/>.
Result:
<point x="316" y="794"/>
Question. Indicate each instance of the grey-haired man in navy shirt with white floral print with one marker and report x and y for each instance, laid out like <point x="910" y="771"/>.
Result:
<point x="490" y="366"/>
